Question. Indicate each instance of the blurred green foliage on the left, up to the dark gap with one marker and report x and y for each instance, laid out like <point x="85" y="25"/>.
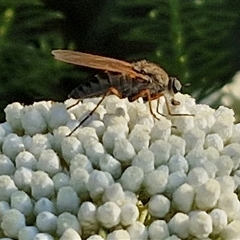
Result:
<point x="28" y="72"/>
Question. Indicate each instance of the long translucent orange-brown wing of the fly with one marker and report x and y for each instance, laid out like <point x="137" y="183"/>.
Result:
<point x="97" y="62"/>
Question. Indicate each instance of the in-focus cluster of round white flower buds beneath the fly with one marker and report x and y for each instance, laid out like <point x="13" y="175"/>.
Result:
<point x="122" y="175"/>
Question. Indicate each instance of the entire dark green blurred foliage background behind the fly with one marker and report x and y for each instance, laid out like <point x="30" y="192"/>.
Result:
<point x="197" y="41"/>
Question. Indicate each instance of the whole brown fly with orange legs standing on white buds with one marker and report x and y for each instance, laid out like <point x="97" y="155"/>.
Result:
<point x="125" y="80"/>
